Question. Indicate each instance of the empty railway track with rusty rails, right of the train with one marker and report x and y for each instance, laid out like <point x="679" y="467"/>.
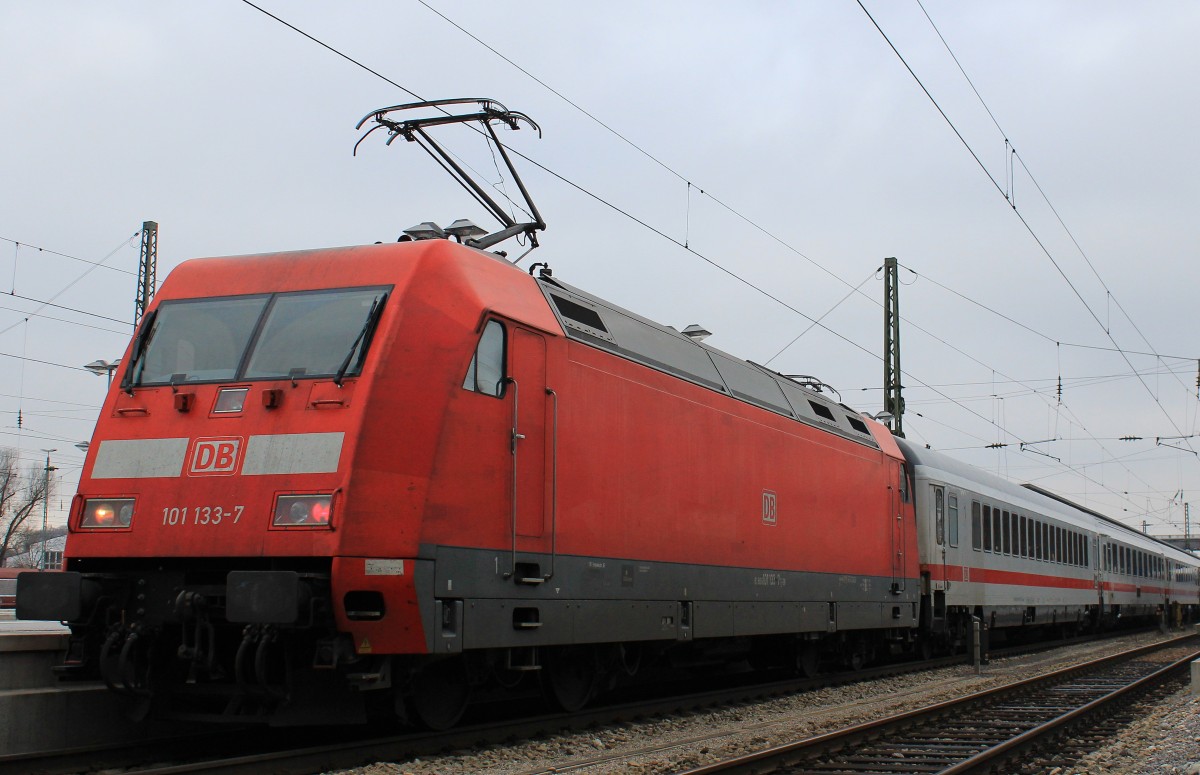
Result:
<point x="991" y="731"/>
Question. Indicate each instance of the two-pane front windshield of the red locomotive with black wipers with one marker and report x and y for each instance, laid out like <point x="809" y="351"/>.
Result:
<point x="309" y="334"/>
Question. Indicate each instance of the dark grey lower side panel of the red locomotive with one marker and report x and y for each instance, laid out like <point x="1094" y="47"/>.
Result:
<point x="482" y="600"/>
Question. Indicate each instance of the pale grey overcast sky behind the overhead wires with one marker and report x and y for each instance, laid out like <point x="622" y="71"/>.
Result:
<point x="812" y="152"/>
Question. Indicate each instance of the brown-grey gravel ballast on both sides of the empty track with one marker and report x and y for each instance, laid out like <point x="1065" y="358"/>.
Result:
<point x="1165" y="742"/>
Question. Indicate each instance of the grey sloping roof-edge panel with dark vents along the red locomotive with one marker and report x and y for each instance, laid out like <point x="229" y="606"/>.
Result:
<point x="599" y="323"/>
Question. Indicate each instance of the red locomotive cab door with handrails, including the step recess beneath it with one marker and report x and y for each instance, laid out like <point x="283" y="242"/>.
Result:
<point x="531" y="446"/>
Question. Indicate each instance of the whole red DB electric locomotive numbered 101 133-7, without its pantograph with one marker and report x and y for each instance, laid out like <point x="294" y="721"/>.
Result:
<point x="417" y="467"/>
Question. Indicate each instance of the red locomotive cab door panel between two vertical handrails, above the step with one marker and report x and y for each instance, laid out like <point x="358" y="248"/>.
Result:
<point x="527" y="392"/>
